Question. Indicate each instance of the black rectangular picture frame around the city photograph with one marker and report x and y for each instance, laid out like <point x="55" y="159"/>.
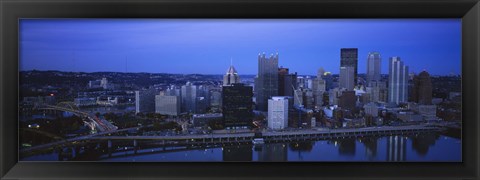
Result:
<point x="12" y="10"/>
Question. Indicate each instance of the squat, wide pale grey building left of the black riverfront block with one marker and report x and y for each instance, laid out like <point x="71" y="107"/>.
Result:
<point x="168" y="105"/>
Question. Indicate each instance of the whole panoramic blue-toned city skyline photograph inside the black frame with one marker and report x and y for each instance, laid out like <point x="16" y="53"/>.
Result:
<point x="240" y="90"/>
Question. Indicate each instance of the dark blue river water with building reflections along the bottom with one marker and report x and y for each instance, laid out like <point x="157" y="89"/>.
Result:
<point x="421" y="147"/>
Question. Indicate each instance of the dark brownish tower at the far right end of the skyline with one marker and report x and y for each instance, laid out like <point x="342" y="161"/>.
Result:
<point x="422" y="88"/>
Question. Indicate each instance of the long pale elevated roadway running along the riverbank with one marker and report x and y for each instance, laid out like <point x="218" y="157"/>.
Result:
<point x="110" y="140"/>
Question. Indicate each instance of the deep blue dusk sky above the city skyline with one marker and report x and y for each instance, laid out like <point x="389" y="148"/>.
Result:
<point x="205" y="46"/>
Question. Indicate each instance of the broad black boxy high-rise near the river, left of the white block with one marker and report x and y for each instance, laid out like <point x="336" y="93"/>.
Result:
<point x="237" y="106"/>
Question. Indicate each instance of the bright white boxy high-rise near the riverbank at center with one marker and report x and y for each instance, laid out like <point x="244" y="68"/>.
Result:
<point x="278" y="112"/>
